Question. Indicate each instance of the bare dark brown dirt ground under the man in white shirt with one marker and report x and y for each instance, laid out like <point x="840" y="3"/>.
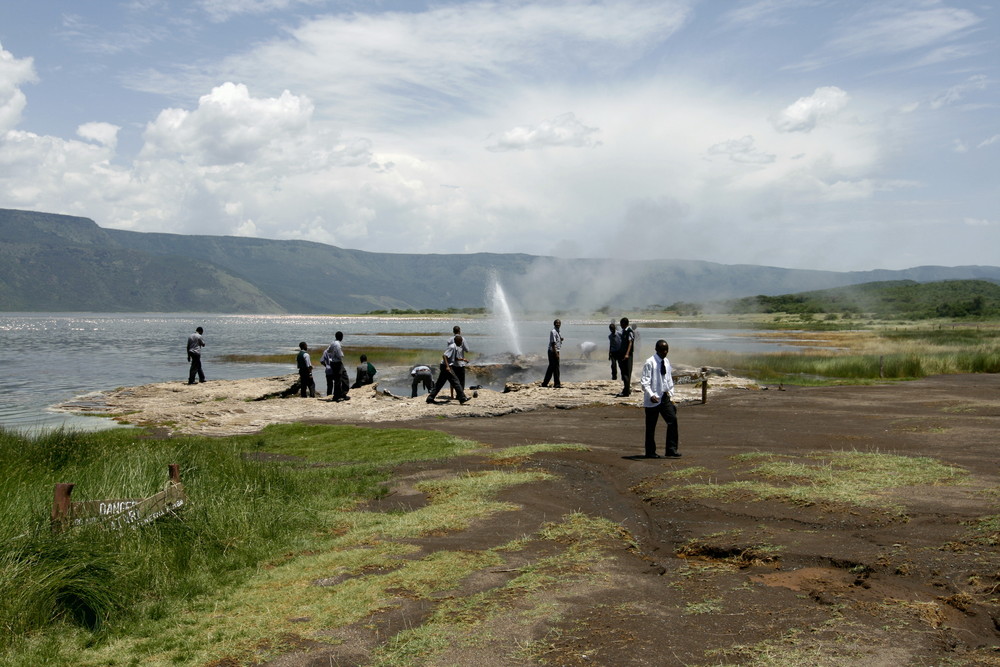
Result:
<point x="724" y="581"/>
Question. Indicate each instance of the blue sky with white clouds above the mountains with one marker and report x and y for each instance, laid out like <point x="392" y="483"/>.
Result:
<point x="818" y="134"/>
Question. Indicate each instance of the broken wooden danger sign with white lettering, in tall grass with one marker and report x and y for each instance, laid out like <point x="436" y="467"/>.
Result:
<point x="121" y="512"/>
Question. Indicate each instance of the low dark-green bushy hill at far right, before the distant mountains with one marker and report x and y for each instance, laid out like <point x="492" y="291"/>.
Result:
<point x="900" y="298"/>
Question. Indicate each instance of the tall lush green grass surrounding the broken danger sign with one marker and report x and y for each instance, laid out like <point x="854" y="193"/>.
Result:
<point x="89" y="584"/>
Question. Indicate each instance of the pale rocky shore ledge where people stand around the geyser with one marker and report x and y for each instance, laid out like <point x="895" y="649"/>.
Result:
<point x="230" y="407"/>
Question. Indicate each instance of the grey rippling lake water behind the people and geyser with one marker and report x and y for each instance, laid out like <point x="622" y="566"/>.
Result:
<point x="50" y="358"/>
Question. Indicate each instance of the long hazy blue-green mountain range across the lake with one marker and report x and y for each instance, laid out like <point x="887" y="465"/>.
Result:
<point x="51" y="262"/>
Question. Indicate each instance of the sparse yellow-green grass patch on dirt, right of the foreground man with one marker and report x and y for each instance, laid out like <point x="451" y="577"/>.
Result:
<point x="831" y="478"/>
